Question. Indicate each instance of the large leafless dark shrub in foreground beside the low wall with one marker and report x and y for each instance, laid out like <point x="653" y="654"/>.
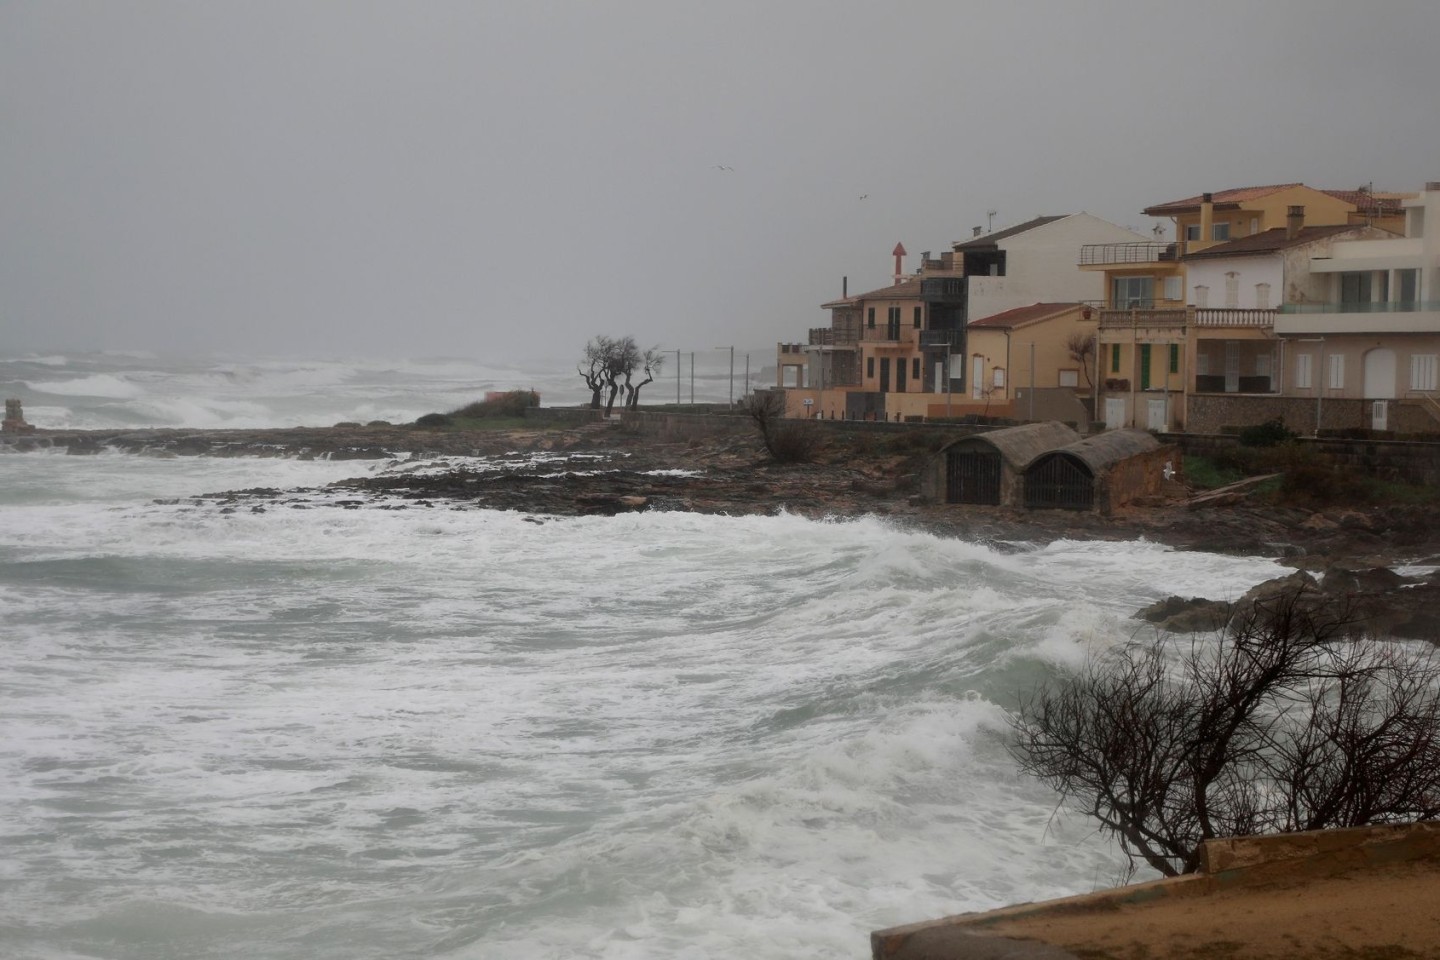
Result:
<point x="1282" y="723"/>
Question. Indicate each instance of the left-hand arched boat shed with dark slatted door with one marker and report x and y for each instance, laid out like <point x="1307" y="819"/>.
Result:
<point x="990" y="468"/>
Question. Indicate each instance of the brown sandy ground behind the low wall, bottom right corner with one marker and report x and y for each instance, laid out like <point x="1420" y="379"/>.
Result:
<point x="1390" y="913"/>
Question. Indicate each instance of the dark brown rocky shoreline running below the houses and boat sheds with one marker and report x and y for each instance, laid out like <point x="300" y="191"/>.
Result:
<point x="606" y="470"/>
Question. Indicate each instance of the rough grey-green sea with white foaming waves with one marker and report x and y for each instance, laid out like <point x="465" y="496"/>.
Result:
<point x="456" y="733"/>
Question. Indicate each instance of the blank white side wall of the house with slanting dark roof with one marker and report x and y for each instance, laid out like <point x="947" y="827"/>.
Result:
<point x="1042" y="266"/>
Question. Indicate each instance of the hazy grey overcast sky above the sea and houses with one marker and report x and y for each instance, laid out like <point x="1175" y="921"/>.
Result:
<point x="508" y="179"/>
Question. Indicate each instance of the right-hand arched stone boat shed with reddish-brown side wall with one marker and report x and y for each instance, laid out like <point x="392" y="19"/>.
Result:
<point x="1099" y="473"/>
